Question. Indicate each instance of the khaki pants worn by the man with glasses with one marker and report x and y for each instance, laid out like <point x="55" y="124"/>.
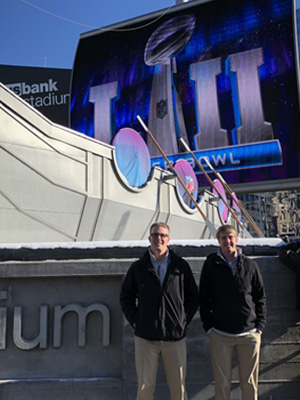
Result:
<point x="173" y="354"/>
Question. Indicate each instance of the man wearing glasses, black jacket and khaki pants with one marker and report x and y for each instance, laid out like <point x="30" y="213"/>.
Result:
<point x="159" y="298"/>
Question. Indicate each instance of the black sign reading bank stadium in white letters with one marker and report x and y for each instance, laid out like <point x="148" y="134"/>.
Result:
<point x="46" y="89"/>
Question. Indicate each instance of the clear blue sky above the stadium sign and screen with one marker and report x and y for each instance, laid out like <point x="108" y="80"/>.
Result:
<point x="46" y="32"/>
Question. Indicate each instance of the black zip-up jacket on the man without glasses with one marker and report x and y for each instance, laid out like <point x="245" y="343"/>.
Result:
<point x="232" y="302"/>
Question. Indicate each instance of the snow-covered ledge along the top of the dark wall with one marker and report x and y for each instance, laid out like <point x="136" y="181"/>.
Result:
<point x="126" y="249"/>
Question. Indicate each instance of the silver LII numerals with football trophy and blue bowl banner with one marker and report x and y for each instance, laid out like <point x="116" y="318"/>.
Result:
<point x="166" y="116"/>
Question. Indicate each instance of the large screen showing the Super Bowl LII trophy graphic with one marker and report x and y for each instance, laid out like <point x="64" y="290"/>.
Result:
<point x="220" y="75"/>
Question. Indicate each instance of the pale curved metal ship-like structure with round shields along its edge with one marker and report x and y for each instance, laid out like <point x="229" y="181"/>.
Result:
<point x="57" y="185"/>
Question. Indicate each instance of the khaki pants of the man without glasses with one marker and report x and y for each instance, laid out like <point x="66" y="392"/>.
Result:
<point x="247" y="351"/>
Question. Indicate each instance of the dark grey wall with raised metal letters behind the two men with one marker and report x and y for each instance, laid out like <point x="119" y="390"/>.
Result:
<point x="97" y="369"/>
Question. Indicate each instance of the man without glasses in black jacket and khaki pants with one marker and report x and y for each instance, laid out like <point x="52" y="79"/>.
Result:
<point x="233" y="312"/>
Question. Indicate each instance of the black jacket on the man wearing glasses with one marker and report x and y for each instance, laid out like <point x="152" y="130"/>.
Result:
<point x="155" y="312"/>
